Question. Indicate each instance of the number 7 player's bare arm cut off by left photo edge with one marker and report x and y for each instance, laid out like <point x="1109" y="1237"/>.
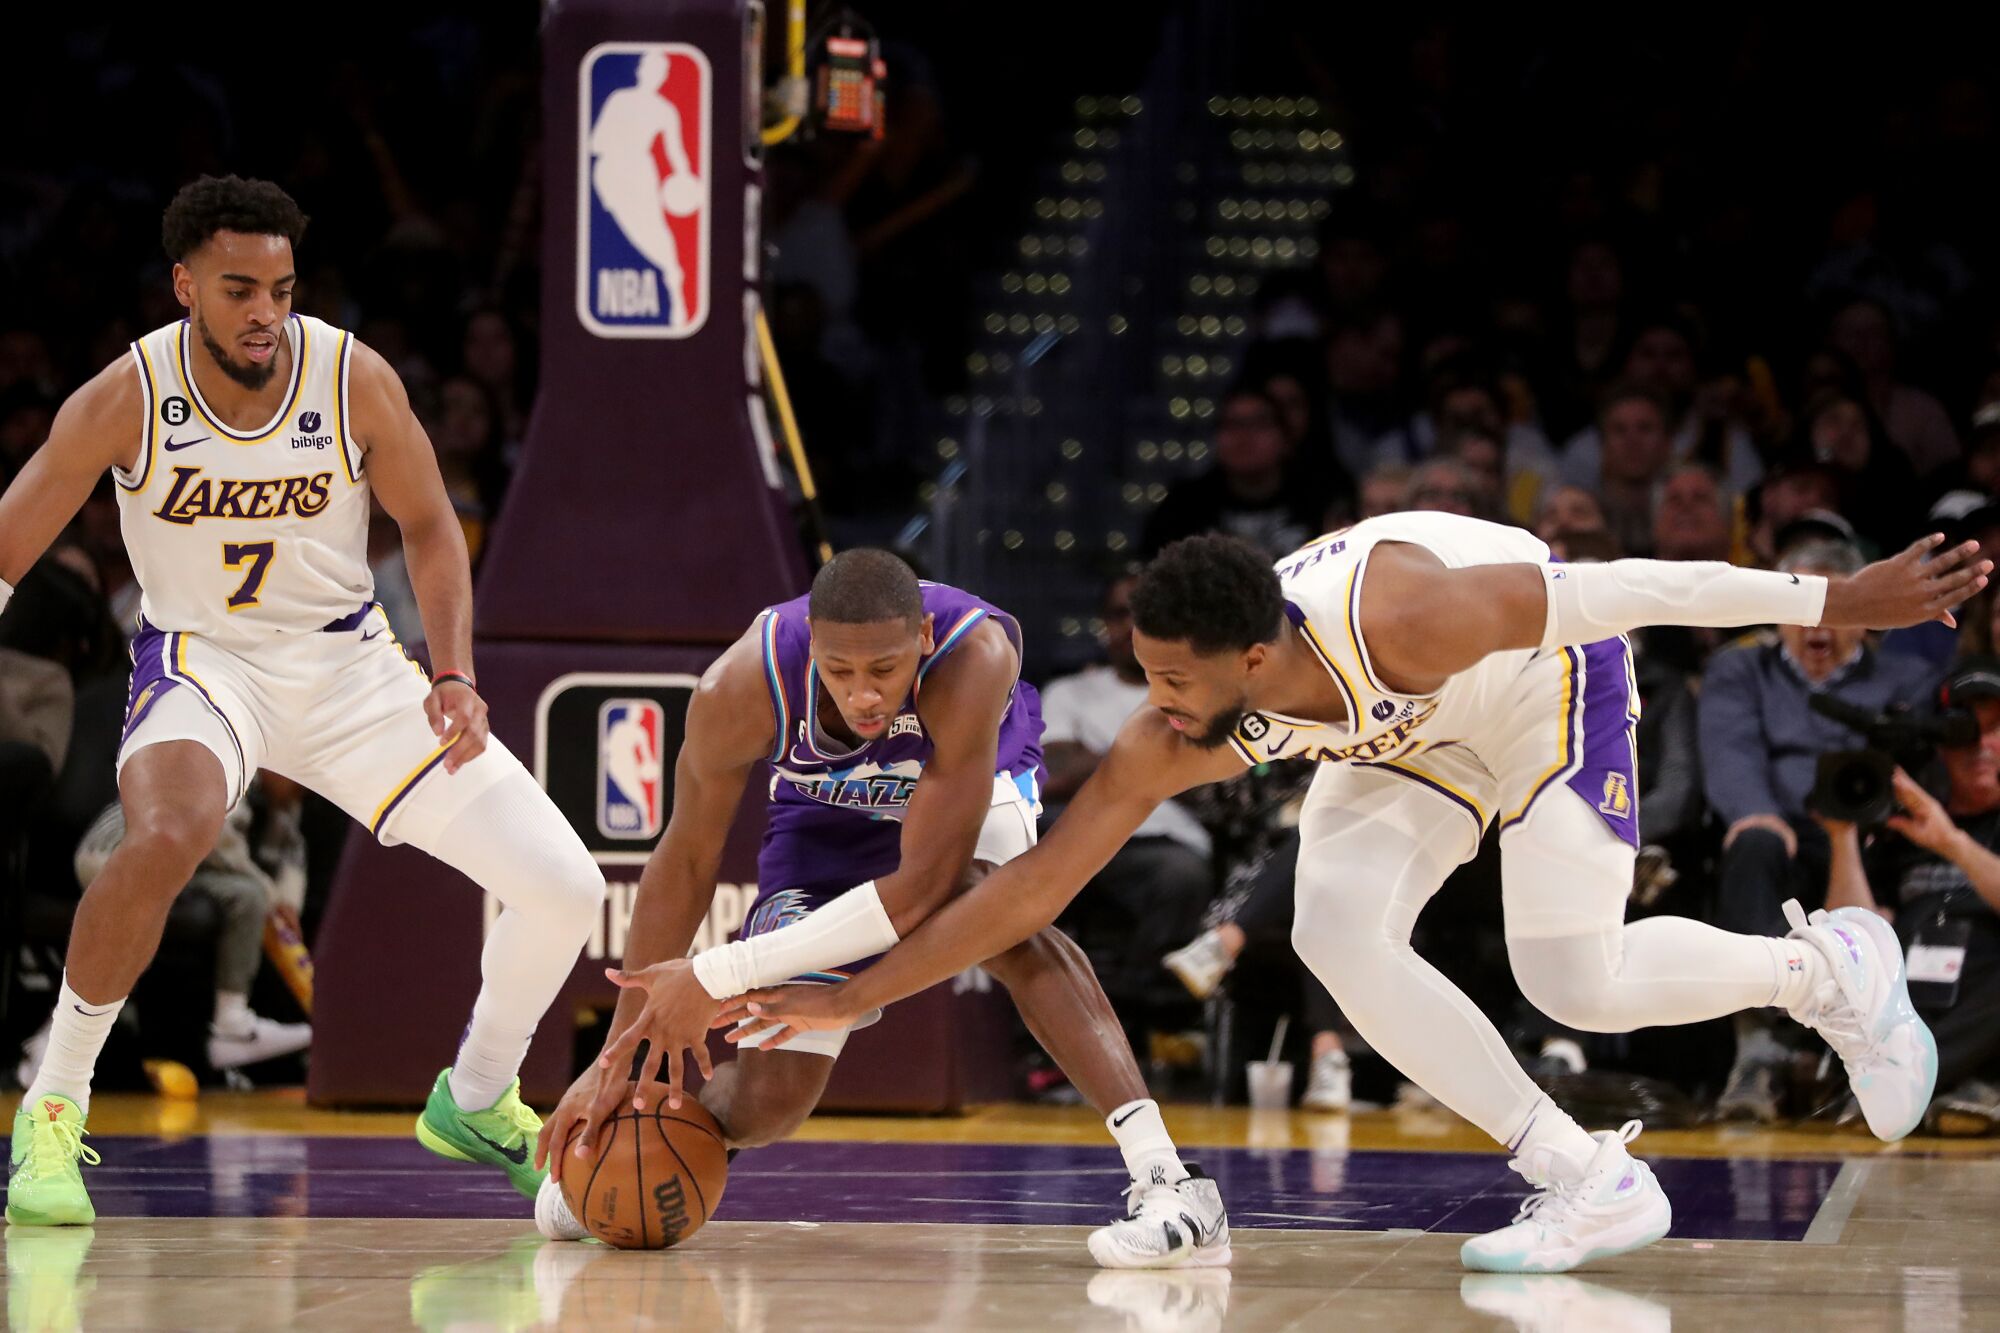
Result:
<point x="99" y="427"/>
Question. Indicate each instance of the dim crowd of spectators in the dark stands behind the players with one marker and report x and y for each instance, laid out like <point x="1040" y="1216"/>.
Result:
<point x="1625" y="343"/>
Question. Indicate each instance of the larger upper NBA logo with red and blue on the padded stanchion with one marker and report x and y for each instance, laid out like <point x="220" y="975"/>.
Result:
<point x="643" y="191"/>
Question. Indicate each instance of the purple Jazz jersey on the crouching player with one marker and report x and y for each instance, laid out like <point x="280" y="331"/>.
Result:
<point x="837" y="816"/>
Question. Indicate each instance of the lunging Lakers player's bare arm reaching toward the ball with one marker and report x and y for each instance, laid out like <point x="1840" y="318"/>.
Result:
<point x="1147" y="766"/>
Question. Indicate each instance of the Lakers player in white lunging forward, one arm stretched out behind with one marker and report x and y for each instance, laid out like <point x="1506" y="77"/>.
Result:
<point x="1447" y="676"/>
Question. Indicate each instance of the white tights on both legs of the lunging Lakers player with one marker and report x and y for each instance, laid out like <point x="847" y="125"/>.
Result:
<point x="1363" y="880"/>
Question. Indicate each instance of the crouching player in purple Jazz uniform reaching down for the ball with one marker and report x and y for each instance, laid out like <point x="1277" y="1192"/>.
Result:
<point x="905" y="760"/>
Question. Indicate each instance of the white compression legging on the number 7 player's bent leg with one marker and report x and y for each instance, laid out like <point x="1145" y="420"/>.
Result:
<point x="515" y="846"/>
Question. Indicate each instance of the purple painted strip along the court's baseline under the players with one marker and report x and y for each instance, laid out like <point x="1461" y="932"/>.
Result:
<point x="271" y="1176"/>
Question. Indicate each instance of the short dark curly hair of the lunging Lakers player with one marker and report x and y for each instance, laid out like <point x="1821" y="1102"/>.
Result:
<point x="1217" y="593"/>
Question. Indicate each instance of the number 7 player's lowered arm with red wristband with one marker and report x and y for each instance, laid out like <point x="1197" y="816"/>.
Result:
<point x="403" y="469"/>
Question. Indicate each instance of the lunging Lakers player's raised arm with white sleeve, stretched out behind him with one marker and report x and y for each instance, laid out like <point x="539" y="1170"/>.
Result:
<point x="1425" y="621"/>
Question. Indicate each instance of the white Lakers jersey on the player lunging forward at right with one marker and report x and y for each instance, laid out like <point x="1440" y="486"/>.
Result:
<point x="1323" y="589"/>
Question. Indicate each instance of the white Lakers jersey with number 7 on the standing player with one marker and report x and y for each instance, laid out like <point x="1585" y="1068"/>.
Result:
<point x="239" y="535"/>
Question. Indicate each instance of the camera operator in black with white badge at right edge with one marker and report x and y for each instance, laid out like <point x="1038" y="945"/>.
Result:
<point x="1945" y="896"/>
